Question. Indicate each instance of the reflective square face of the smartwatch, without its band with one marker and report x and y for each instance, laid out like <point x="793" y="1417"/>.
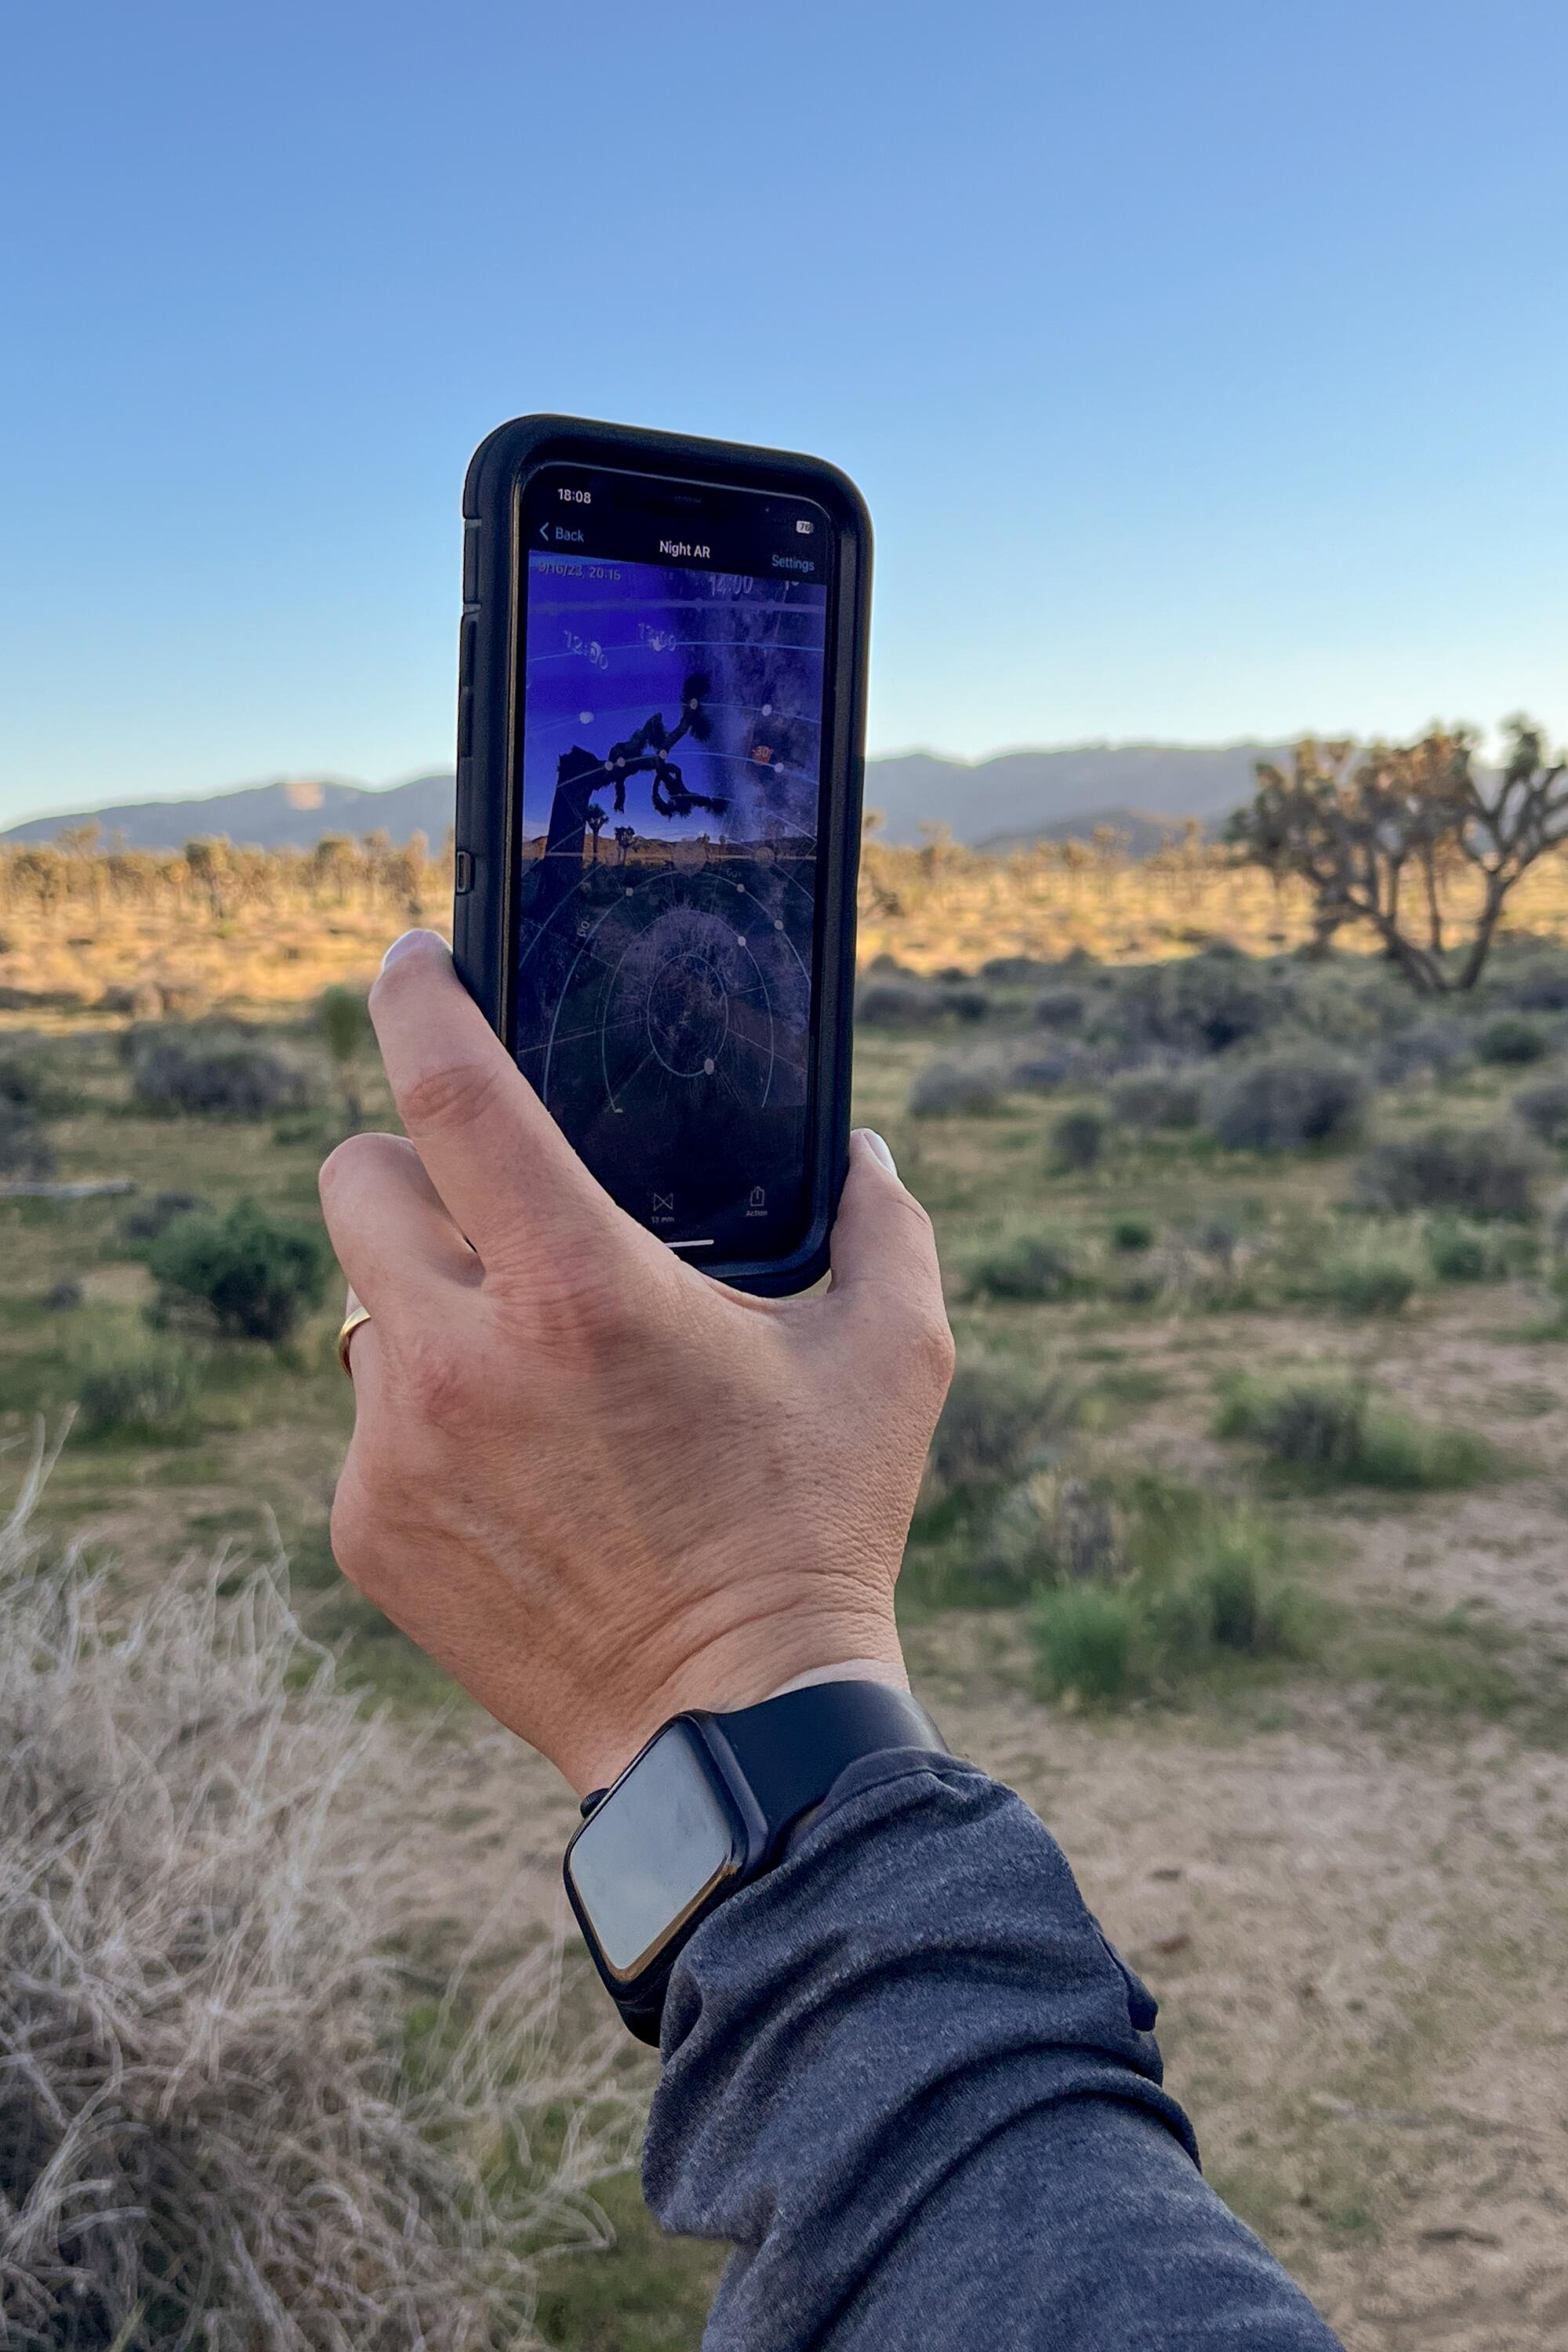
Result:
<point x="652" y="1852"/>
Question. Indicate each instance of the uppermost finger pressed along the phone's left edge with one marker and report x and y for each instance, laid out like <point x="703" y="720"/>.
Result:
<point x="488" y="1144"/>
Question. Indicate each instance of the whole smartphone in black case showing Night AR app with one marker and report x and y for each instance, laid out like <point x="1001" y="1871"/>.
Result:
<point x="662" y="714"/>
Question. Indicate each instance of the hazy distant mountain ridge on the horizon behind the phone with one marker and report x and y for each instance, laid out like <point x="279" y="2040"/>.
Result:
<point x="1000" y="803"/>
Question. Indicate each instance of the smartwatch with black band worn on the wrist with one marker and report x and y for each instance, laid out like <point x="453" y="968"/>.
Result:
<point x="704" y="1810"/>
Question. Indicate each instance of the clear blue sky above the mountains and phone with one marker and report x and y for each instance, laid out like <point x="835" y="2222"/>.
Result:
<point x="1205" y="368"/>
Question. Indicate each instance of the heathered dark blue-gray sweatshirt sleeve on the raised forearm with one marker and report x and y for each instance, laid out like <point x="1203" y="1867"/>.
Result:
<point x="918" y="2092"/>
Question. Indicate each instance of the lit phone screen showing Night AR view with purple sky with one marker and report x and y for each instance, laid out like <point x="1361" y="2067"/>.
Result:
<point x="671" y="721"/>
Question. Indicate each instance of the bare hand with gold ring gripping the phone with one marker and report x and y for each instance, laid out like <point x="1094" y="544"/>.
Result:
<point x="594" y="1483"/>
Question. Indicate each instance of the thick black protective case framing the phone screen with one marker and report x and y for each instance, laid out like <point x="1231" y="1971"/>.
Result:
<point x="488" y="806"/>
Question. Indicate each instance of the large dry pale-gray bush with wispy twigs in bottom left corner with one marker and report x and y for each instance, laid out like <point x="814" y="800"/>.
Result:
<point x="215" y="2125"/>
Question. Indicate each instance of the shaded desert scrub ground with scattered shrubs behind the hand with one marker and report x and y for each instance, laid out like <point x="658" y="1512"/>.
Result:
<point x="1240" y="1549"/>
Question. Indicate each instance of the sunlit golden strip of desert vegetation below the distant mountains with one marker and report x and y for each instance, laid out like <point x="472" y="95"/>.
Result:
<point x="138" y="933"/>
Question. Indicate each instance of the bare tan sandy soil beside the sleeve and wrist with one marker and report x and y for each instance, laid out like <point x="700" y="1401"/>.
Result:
<point x="1358" y="1925"/>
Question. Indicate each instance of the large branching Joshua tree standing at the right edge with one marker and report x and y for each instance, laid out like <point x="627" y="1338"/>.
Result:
<point x="1360" y="829"/>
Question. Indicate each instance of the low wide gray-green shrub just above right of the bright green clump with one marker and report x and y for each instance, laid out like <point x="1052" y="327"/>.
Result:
<point x="1325" y="1429"/>
